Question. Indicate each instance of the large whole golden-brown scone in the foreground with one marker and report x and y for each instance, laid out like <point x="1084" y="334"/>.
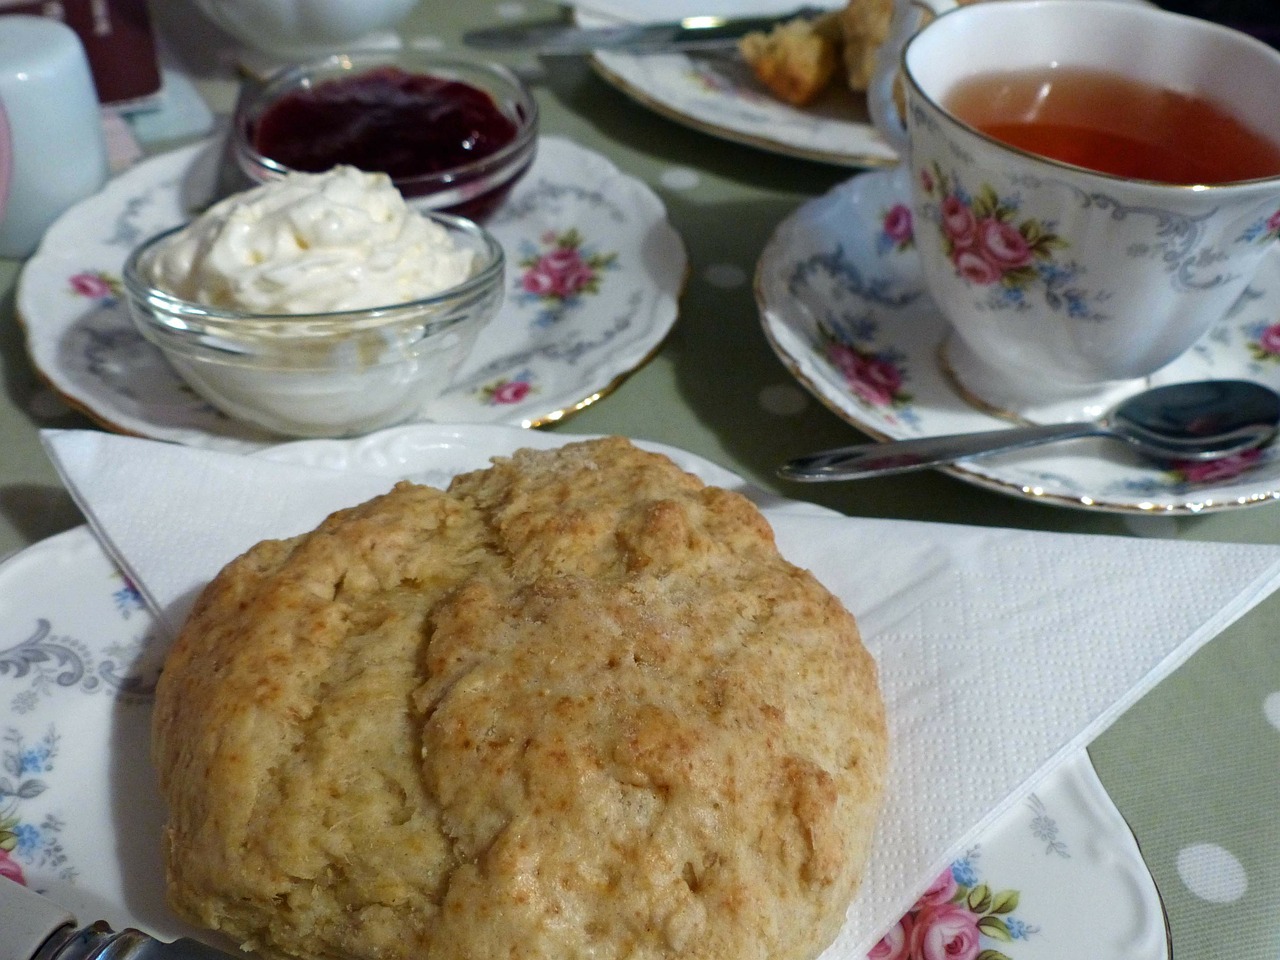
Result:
<point x="575" y="707"/>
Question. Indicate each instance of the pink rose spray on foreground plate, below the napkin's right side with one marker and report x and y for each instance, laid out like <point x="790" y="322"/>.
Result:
<point x="957" y="918"/>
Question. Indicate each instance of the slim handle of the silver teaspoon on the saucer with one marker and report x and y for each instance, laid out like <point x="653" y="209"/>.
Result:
<point x="900" y="456"/>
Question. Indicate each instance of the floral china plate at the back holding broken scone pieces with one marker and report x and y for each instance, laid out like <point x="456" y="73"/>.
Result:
<point x="717" y="94"/>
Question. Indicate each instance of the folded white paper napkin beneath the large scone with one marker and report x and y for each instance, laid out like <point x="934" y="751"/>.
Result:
<point x="1002" y="652"/>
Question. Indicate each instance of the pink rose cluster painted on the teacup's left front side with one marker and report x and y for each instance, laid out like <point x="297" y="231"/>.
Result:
<point x="991" y="246"/>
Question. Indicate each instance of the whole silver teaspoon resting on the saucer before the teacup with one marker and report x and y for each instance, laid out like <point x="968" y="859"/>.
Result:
<point x="1192" y="422"/>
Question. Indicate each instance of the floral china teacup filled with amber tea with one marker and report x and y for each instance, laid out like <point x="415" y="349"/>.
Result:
<point x="1060" y="281"/>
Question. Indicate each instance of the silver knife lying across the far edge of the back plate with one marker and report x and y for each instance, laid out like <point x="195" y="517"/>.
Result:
<point x="691" y="34"/>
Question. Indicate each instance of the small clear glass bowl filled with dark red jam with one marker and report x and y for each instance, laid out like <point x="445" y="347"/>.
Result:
<point x="452" y="135"/>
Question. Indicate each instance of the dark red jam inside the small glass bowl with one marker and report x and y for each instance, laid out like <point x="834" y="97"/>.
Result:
<point x="405" y="125"/>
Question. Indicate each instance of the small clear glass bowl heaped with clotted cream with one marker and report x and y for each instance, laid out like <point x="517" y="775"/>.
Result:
<point x="318" y="305"/>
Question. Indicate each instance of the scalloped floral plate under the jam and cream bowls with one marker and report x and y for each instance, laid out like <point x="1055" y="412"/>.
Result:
<point x="593" y="277"/>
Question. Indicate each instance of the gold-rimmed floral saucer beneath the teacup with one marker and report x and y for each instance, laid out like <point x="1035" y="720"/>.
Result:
<point x="845" y="309"/>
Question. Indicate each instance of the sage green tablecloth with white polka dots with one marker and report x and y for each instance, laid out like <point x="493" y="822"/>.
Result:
<point x="1192" y="769"/>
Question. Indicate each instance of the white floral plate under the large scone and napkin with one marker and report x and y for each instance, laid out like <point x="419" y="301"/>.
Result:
<point x="80" y="816"/>
